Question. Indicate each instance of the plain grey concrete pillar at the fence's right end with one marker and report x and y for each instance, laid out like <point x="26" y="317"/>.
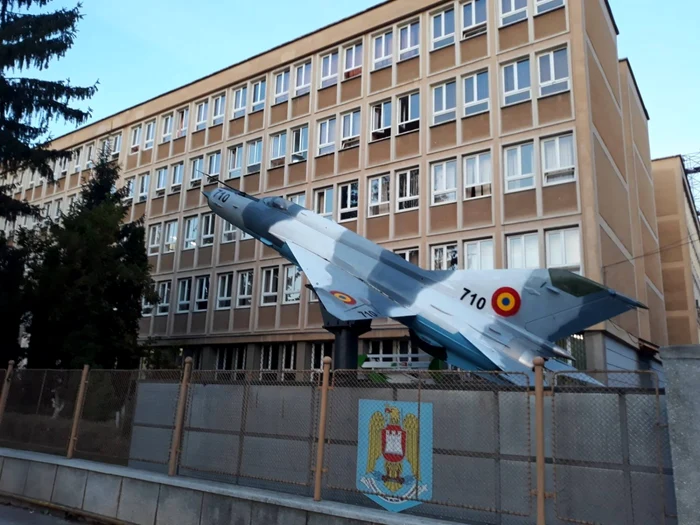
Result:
<point x="682" y="370"/>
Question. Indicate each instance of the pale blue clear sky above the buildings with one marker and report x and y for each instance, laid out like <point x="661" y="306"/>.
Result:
<point x="138" y="49"/>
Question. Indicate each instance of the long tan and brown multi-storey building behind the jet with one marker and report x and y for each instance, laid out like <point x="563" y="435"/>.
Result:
<point x="466" y="134"/>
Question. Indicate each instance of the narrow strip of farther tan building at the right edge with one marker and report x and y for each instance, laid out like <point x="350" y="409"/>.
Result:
<point x="679" y="230"/>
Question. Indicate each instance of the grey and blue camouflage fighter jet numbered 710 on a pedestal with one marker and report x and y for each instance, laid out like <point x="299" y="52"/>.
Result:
<point x="491" y="320"/>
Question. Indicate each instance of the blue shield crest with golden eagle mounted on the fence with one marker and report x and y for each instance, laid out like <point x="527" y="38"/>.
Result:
<point x="395" y="453"/>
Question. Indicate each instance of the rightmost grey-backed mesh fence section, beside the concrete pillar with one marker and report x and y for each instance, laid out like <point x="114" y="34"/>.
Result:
<point x="610" y="446"/>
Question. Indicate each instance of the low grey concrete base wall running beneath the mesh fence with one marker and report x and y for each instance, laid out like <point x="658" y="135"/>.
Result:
<point x="125" y="495"/>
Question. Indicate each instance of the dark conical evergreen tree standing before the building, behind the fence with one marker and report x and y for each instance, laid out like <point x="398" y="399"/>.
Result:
<point x="87" y="283"/>
